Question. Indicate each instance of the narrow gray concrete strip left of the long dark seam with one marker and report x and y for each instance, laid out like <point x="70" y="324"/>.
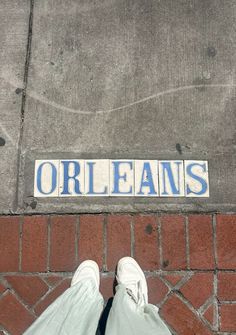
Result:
<point x="14" y="17"/>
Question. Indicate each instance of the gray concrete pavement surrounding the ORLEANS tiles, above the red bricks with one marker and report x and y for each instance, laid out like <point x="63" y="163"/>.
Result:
<point x="118" y="79"/>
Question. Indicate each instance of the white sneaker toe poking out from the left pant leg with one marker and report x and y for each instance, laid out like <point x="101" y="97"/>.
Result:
<point x="87" y="270"/>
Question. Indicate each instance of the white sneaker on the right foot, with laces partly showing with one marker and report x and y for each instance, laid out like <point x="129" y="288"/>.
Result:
<point x="131" y="275"/>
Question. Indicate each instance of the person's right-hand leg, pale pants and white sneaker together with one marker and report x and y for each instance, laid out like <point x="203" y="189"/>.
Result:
<point x="130" y="313"/>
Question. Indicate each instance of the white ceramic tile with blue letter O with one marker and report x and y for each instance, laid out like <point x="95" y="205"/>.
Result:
<point x="46" y="178"/>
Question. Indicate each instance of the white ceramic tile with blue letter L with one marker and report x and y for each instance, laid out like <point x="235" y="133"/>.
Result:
<point x="97" y="177"/>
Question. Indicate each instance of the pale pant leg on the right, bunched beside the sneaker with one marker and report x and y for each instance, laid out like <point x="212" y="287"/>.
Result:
<point x="127" y="318"/>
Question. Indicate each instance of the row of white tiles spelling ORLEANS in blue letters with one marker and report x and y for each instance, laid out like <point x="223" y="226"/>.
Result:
<point x="121" y="178"/>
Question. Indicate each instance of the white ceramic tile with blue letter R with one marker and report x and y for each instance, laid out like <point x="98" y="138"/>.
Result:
<point x="71" y="182"/>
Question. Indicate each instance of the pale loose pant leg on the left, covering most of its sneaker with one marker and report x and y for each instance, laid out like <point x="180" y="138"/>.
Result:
<point x="75" y="312"/>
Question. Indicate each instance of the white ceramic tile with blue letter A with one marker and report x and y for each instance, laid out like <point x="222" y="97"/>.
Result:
<point x="146" y="178"/>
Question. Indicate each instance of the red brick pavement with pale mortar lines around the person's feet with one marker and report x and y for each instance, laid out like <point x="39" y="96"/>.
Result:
<point x="190" y="264"/>
